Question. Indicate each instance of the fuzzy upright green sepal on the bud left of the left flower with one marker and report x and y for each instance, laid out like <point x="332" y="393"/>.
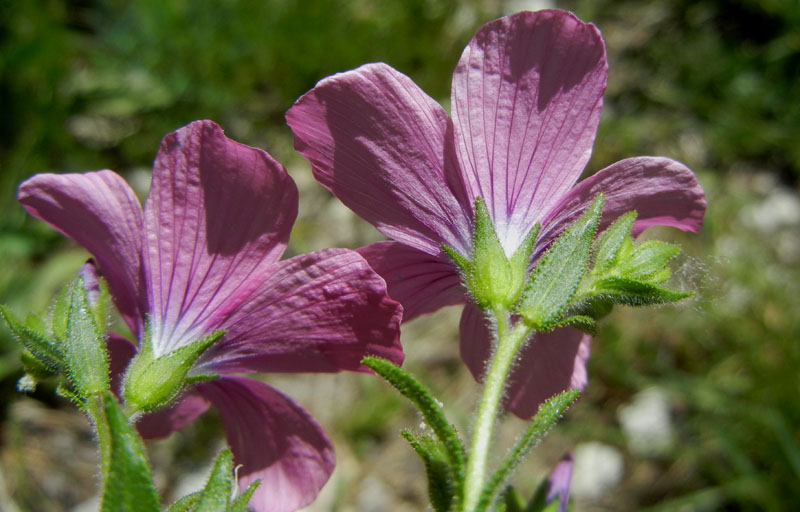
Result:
<point x="85" y="347"/>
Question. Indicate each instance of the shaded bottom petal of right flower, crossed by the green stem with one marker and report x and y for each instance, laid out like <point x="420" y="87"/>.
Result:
<point x="549" y="364"/>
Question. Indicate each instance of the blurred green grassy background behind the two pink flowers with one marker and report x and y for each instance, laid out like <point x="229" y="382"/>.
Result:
<point x="95" y="84"/>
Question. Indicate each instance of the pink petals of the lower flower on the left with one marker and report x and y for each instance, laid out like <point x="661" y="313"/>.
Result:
<point x="203" y="256"/>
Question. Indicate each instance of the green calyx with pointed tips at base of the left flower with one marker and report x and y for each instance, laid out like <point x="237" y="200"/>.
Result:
<point x="153" y="382"/>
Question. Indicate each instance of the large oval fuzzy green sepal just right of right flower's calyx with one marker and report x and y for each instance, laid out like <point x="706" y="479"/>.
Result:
<point x="558" y="273"/>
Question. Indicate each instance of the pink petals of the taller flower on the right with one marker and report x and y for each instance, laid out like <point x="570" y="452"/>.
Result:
<point x="526" y="101"/>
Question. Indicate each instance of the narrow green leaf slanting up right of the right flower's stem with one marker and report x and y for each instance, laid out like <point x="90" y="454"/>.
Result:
<point x="547" y="416"/>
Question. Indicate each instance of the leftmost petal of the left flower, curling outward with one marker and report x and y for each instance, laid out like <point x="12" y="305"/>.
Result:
<point x="101" y="212"/>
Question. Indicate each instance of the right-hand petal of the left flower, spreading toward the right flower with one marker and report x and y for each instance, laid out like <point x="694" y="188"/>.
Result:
<point x="317" y="312"/>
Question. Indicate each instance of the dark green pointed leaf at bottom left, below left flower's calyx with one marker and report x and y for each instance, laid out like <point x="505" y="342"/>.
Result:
<point x="128" y="487"/>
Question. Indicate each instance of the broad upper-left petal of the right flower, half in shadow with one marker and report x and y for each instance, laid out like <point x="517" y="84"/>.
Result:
<point x="377" y="141"/>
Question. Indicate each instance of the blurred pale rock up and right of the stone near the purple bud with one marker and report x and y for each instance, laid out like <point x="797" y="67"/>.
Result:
<point x="647" y="422"/>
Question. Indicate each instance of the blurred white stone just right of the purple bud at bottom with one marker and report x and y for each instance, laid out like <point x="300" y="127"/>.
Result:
<point x="598" y="468"/>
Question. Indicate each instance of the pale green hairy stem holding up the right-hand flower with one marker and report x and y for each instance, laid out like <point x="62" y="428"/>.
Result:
<point x="509" y="340"/>
